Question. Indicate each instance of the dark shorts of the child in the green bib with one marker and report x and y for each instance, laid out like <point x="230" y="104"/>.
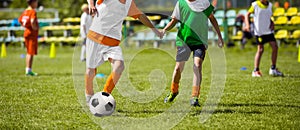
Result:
<point x="184" y="52"/>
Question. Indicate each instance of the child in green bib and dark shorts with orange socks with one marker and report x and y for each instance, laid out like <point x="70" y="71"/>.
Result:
<point x="192" y="37"/>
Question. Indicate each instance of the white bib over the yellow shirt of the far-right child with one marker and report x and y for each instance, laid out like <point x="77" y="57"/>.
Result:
<point x="262" y="19"/>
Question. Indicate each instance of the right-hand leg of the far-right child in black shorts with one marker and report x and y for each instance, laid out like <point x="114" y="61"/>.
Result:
<point x="273" y="70"/>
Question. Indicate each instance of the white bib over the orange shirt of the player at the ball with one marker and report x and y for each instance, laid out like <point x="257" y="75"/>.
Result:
<point x="108" y="11"/>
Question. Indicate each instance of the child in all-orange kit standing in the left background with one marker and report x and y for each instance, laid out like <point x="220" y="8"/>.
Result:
<point x="28" y="19"/>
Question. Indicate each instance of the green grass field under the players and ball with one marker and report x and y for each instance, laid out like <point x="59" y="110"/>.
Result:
<point x="53" y="100"/>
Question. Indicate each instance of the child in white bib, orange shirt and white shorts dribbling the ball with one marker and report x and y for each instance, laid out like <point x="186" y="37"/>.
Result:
<point x="104" y="37"/>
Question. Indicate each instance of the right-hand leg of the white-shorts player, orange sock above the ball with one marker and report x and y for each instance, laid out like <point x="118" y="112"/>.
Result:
<point x="117" y="69"/>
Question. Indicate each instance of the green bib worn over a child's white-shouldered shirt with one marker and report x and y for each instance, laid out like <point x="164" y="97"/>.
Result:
<point x="193" y="24"/>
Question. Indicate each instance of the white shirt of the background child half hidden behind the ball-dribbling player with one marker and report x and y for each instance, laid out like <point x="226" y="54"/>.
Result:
<point x="85" y="22"/>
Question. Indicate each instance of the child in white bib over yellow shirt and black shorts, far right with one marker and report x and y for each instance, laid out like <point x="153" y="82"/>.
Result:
<point x="264" y="32"/>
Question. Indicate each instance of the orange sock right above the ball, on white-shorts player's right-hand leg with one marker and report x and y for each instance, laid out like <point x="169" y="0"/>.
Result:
<point x="111" y="82"/>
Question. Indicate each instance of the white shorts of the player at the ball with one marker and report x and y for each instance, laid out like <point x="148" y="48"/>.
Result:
<point x="97" y="54"/>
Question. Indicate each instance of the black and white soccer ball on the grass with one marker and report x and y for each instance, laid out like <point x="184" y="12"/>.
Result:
<point x="102" y="104"/>
